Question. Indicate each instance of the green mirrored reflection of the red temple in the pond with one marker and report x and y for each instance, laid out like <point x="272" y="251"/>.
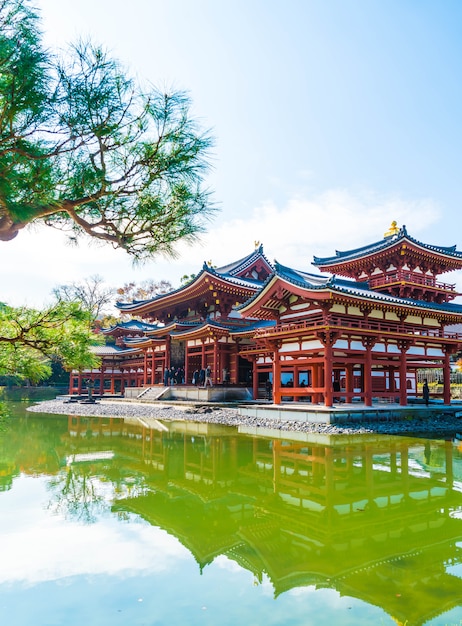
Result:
<point x="376" y="518"/>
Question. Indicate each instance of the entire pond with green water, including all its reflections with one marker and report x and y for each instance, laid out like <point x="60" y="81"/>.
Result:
<point x="108" y="522"/>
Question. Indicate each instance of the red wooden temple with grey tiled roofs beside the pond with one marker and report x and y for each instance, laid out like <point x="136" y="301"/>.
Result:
<point x="357" y="330"/>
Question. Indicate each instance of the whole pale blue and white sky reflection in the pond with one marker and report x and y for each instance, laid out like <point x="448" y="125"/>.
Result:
<point x="57" y="572"/>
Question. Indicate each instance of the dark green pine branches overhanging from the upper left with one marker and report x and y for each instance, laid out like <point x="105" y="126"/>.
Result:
<point x="85" y="149"/>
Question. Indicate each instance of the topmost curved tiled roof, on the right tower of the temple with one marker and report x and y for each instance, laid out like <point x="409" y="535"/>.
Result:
<point x="383" y="244"/>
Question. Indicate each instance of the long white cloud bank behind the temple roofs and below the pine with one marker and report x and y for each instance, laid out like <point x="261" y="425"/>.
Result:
<point x="38" y="260"/>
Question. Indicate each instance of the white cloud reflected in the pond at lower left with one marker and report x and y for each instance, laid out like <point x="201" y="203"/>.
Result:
<point x="50" y="555"/>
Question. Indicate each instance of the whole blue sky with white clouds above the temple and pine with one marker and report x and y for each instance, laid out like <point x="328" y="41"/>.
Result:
<point x="331" y="118"/>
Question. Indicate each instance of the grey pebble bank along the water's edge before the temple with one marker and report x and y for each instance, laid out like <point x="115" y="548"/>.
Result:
<point x="434" y="426"/>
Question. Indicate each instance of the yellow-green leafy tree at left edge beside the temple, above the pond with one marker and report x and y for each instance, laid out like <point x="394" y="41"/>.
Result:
<point x="31" y="339"/>
